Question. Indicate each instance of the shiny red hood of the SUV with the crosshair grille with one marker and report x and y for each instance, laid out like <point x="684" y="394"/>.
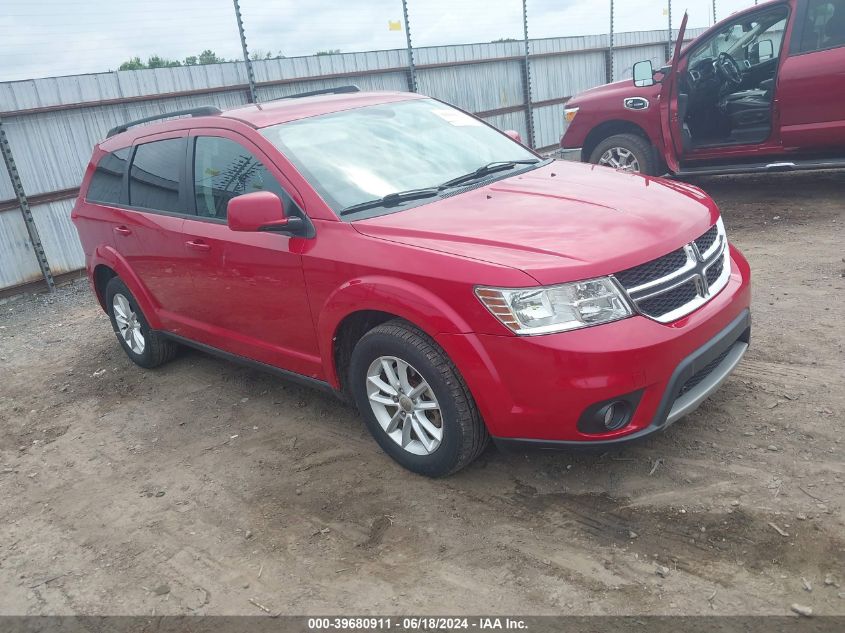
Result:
<point x="561" y="222"/>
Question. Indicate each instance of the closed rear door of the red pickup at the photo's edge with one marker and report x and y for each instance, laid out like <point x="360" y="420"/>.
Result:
<point x="811" y="81"/>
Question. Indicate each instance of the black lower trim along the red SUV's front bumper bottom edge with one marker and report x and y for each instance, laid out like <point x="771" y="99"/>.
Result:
<point x="738" y="330"/>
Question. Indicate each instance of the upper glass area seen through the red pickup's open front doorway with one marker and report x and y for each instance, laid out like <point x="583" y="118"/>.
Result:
<point x="754" y="39"/>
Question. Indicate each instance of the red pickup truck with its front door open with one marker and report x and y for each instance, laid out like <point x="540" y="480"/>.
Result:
<point x="762" y="90"/>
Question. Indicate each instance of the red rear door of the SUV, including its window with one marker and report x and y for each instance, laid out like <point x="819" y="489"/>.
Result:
<point x="148" y="233"/>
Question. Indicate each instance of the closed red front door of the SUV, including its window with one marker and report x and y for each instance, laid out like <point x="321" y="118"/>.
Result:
<point x="251" y="284"/>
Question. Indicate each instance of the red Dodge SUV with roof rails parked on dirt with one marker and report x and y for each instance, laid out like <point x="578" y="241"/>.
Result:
<point x="404" y="254"/>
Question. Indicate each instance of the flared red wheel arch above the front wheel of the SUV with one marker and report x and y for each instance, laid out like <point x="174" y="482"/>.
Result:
<point x="403" y="298"/>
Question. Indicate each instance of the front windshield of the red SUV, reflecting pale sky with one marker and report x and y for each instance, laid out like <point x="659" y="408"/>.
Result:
<point x="363" y="154"/>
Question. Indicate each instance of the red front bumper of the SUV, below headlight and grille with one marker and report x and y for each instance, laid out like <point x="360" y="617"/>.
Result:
<point x="535" y="389"/>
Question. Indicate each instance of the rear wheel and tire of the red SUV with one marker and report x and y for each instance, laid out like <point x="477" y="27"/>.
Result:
<point x="152" y="349"/>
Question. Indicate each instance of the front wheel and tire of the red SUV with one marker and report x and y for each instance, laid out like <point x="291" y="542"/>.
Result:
<point x="430" y="372"/>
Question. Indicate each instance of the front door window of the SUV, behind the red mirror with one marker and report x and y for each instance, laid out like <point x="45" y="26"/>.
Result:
<point x="224" y="169"/>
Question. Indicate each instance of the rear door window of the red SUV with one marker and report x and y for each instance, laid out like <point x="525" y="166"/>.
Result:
<point x="155" y="175"/>
